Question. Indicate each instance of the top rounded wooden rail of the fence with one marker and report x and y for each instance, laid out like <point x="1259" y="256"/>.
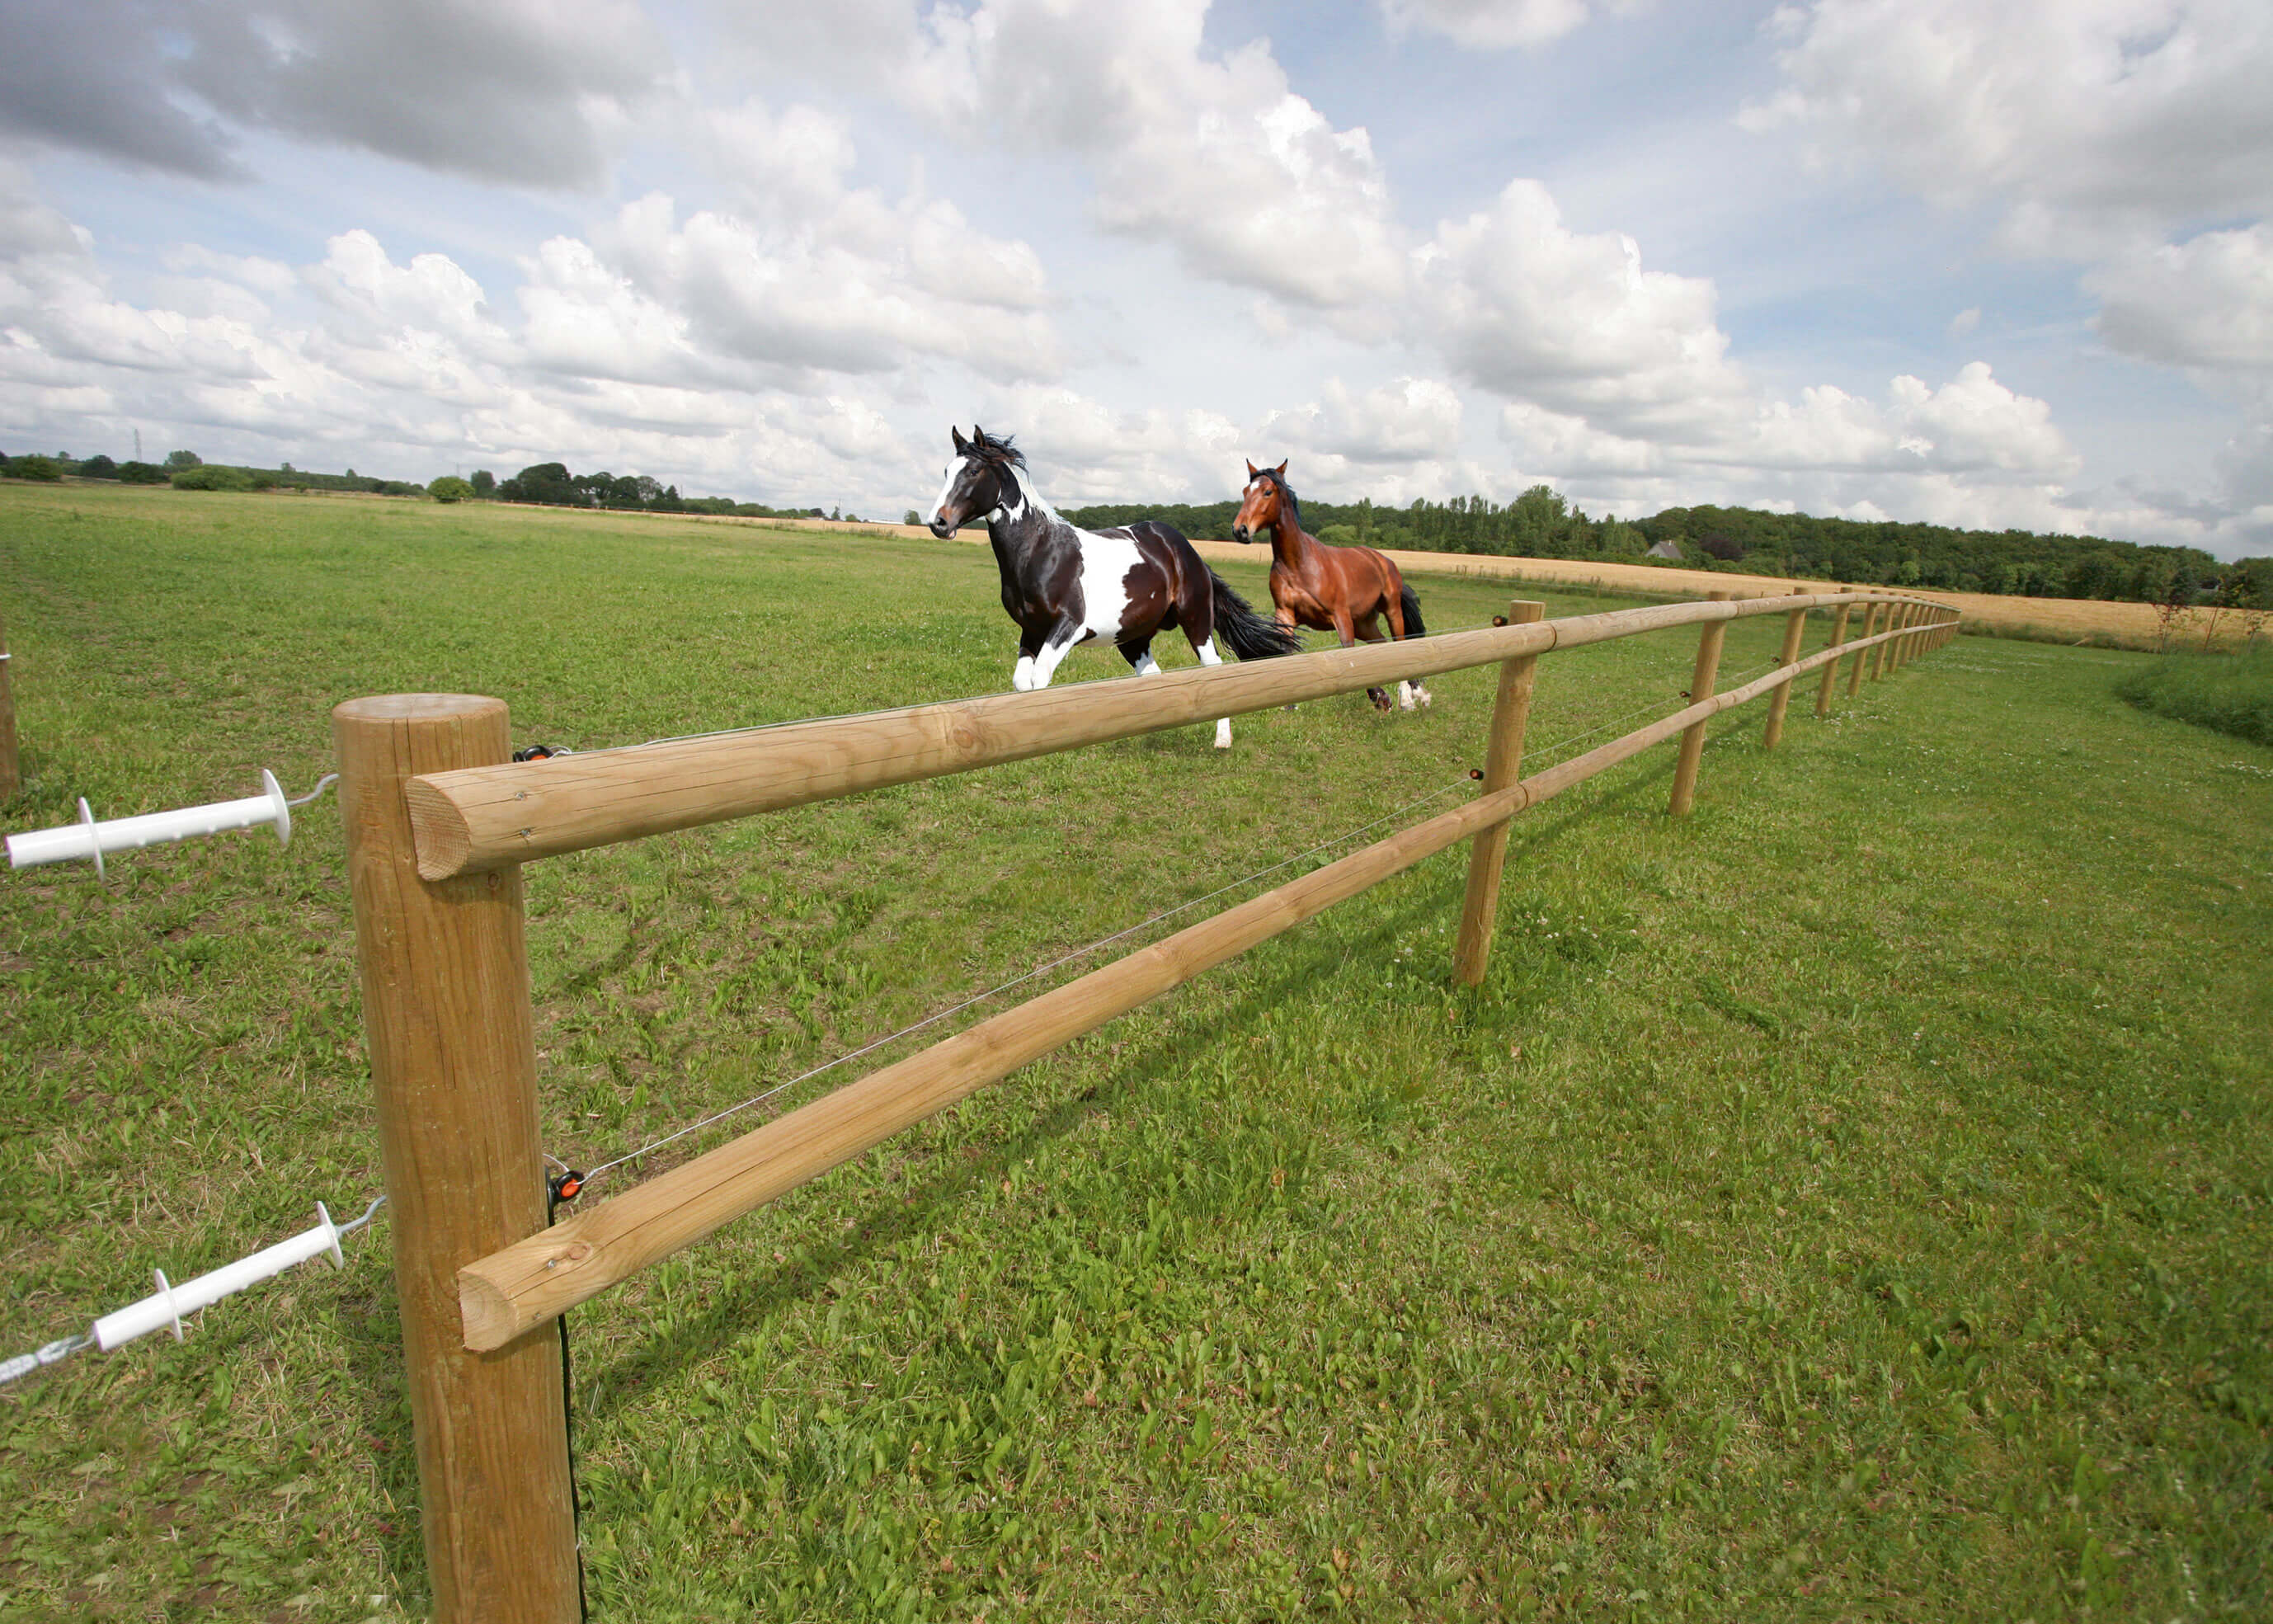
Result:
<point x="492" y="818"/>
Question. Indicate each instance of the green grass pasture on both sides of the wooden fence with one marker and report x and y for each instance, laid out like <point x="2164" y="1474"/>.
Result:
<point x="1849" y="1202"/>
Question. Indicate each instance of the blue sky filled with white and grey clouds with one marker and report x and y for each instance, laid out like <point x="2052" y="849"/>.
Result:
<point x="1981" y="263"/>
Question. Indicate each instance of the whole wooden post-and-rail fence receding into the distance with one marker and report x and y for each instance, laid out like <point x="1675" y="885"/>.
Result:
<point x="440" y="825"/>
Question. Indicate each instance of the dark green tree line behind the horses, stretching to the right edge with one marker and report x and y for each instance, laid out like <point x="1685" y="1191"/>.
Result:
<point x="1751" y="542"/>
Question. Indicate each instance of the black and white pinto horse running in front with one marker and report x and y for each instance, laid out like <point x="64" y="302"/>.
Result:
<point x="1067" y="586"/>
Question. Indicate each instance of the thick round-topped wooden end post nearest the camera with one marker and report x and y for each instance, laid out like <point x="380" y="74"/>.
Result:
<point x="453" y="1063"/>
